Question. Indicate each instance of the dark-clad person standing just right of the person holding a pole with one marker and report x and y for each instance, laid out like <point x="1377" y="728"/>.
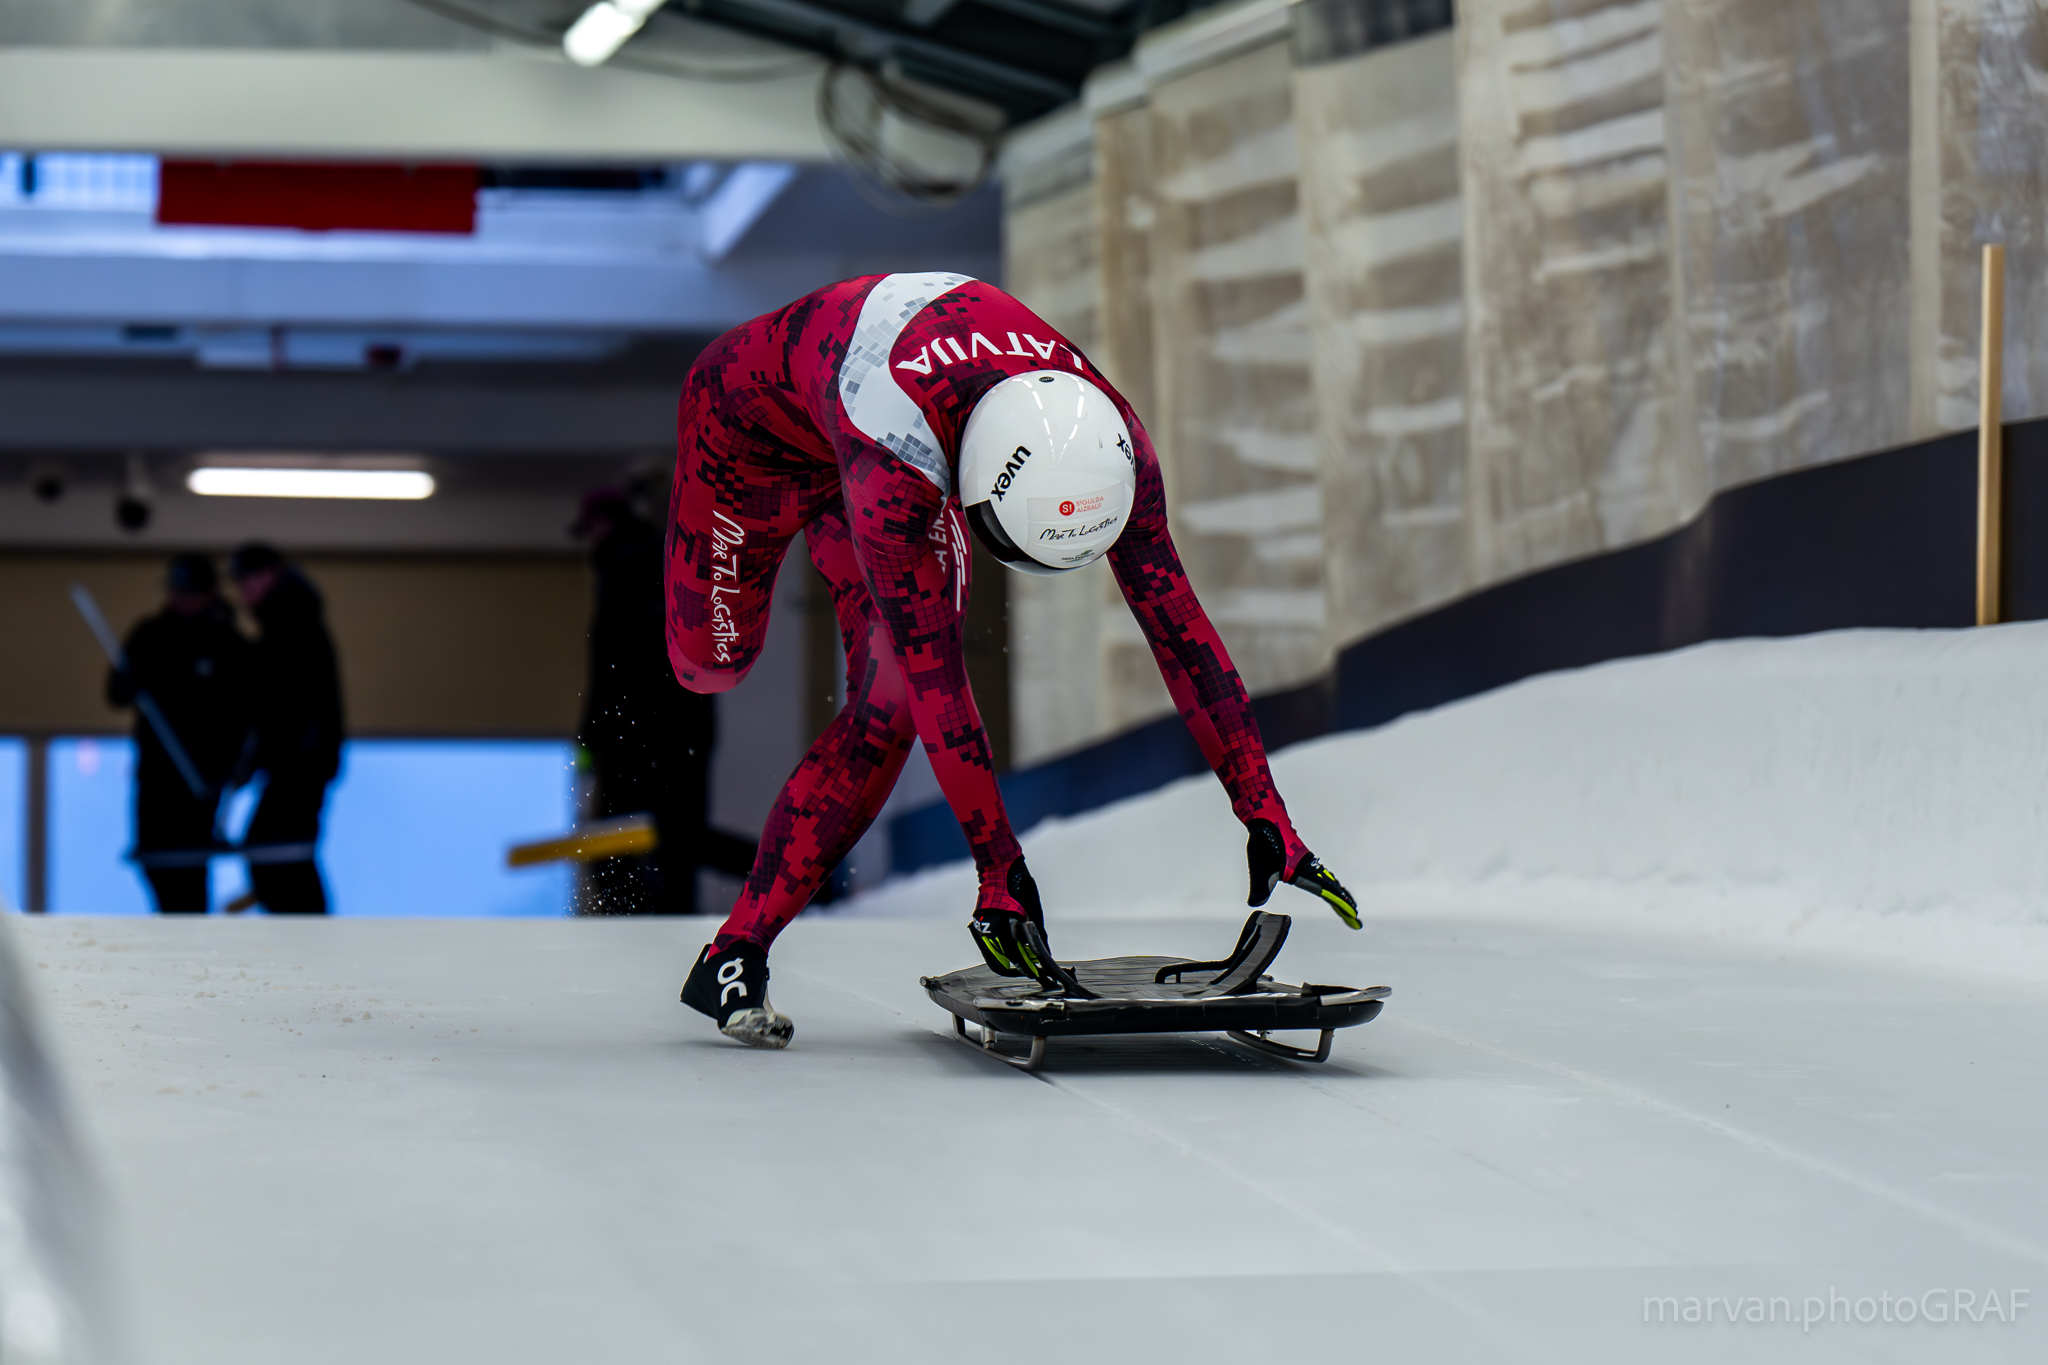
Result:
<point x="298" y="717"/>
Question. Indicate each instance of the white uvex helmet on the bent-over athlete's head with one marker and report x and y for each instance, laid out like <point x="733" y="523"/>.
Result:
<point x="1048" y="472"/>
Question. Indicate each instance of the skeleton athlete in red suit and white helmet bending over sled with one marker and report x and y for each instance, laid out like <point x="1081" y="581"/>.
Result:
<point x="884" y="419"/>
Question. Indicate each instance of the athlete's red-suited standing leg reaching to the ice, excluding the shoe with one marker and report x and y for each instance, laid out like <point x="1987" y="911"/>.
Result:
<point x="847" y="777"/>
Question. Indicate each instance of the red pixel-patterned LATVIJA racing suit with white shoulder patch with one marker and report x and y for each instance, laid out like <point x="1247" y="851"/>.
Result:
<point x="841" y="416"/>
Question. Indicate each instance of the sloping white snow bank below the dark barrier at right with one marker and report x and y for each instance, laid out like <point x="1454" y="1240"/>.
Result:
<point x="1871" y="791"/>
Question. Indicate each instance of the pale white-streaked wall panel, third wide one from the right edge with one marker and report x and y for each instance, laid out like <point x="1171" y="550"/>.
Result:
<point x="1574" y="328"/>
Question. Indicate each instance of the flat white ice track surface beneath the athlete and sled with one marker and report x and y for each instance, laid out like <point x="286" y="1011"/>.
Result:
<point x="384" y="1141"/>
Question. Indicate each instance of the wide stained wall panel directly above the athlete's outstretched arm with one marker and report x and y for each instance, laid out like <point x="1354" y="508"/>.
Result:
<point x="1232" y="353"/>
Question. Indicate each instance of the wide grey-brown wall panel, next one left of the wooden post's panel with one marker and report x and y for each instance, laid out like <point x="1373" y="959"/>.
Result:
<point x="1789" y="142"/>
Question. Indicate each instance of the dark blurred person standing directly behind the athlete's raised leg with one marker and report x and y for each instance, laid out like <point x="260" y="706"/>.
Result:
<point x="648" y="738"/>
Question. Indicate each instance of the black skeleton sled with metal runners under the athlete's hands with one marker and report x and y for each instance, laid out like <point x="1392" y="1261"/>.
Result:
<point x="1156" y="996"/>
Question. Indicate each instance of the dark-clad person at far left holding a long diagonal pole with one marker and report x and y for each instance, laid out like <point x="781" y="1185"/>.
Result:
<point x="196" y="664"/>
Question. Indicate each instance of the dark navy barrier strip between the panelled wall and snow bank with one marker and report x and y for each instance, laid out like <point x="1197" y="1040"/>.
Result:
<point x="1885" y="539"/>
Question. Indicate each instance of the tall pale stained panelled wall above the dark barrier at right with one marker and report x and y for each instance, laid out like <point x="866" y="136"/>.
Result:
<point x="1422" y="316"/>
